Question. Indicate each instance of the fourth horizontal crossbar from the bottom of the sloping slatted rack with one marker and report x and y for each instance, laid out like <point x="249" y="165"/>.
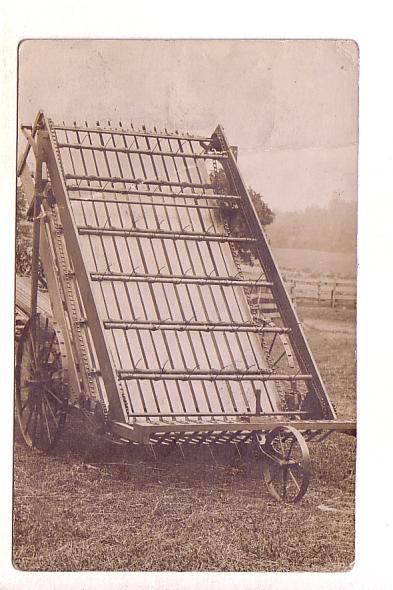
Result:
<point x="175" y="279"/>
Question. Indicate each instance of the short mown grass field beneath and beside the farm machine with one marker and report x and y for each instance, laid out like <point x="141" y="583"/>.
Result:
<point x="91" y="505"/>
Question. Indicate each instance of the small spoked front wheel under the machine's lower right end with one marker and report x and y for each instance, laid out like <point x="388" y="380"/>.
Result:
<point x="286" y="466"/>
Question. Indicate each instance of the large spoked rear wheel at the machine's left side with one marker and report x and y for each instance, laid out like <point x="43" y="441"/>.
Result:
<point x="40" y="382"/>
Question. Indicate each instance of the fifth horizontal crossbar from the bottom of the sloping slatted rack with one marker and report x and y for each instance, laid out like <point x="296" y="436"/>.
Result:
<point x="170" y="235"/>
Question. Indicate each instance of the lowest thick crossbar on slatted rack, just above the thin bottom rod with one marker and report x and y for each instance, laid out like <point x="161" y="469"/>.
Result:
<point x="225" y="375"/>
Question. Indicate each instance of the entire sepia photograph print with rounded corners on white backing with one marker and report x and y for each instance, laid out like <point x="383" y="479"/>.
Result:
<point x="185" y="306"/>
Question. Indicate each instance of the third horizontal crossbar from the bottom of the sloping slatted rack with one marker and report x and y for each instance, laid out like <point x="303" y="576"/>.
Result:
<point x="199" y="326"/>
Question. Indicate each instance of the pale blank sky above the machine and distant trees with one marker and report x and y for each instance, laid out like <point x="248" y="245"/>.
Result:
<point x="291" y="107"/>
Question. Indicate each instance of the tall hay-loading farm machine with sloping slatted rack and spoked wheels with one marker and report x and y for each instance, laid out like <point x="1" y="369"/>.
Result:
<point x="152" y="331"/>
